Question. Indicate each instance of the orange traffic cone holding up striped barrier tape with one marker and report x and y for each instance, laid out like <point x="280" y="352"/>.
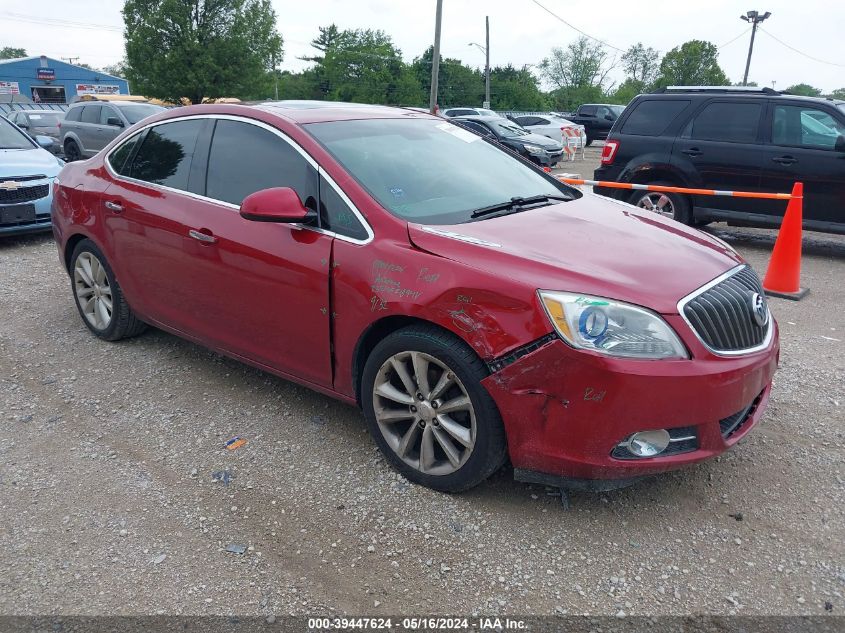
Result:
<point x="783" y="278"/>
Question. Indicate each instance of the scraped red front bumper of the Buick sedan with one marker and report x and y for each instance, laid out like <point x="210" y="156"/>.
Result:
<point x="565" y="410"/>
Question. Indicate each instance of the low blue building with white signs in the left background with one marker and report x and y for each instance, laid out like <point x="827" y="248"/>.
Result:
<point x="47" y="80"/>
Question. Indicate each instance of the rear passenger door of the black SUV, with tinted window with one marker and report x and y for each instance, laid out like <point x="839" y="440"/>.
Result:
<point x="719" y="148"/>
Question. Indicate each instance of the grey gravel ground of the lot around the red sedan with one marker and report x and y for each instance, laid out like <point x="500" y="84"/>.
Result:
<point x="117" y="495"/>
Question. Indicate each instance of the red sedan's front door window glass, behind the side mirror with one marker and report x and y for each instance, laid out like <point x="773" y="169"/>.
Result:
<point x="245" y="158"/>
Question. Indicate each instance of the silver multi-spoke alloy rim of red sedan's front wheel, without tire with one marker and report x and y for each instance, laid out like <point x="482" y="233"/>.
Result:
<point x="424" y="413"/>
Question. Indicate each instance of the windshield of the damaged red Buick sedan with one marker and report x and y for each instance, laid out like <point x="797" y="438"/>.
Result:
<point x="428" y="171"/>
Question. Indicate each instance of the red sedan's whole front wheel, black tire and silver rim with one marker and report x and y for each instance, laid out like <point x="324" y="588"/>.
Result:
<point x="428" y="412"/>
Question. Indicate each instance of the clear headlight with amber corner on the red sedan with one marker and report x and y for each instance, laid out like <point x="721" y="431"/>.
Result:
<point x="611" y="327"/>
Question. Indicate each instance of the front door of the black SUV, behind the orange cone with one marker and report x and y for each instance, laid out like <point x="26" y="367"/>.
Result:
<point x="807" y="144"/>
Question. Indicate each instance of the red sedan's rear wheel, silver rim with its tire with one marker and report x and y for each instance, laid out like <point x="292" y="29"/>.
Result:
<point x="98" y="296"/>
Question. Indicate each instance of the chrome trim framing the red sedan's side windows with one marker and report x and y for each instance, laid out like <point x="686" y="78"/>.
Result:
<point x="229" y="205"/>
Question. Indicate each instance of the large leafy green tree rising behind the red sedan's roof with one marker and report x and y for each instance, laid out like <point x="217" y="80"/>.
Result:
<point x="200" y="48"/>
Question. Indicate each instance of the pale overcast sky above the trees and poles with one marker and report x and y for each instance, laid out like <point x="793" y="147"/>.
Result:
<point x="521" y="32"/>
